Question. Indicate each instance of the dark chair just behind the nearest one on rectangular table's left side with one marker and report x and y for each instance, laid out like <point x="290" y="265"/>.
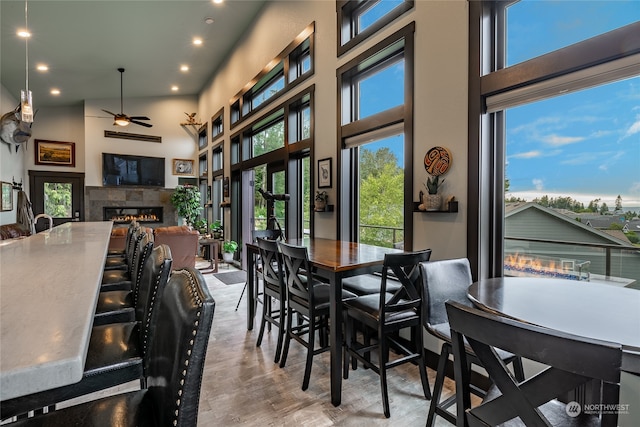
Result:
<point x="273" y="289"/>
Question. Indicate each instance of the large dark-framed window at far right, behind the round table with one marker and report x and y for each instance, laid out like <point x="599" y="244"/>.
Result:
<point x="559" y="137"/>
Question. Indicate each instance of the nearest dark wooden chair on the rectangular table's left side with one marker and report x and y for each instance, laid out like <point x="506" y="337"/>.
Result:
<point x="308" y="299"/>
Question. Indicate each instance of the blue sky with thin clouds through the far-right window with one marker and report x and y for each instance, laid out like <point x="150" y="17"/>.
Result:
<point x="586" y="144"/>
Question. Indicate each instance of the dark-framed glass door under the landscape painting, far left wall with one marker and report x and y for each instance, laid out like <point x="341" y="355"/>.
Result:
<point x="58" y="194"/>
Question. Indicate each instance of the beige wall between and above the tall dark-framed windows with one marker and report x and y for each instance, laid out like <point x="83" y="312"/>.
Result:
<point x="440" y="113"/>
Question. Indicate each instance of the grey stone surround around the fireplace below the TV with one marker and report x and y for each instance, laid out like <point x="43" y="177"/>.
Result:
<point x="99" y="197"/>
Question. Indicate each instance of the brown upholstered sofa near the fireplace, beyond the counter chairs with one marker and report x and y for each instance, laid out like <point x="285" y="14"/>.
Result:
<point x="183" y="242"/>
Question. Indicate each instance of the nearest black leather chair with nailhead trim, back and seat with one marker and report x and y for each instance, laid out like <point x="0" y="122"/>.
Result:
<point x="176" y="359"/>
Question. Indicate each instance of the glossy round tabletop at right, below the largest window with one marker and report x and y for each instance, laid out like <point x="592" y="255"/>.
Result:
<point x="592" y="310"/>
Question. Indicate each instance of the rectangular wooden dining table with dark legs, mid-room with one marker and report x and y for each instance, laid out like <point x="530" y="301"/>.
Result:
<point x="332" y="260"/>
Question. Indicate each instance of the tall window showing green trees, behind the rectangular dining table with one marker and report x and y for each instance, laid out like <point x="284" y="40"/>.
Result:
<point x="376" y="110"/>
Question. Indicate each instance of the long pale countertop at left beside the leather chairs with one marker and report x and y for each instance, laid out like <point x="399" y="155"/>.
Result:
<point x="49" y="285"/>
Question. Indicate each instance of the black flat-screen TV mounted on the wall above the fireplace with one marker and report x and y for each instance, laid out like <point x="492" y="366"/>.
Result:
<point x="124" y="169"/>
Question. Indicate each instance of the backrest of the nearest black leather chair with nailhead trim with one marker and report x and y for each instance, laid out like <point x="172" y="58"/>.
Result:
<point x="177" y="355"/>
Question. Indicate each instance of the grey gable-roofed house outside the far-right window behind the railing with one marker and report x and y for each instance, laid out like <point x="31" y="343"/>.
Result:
<point x="534" y="231"/>
